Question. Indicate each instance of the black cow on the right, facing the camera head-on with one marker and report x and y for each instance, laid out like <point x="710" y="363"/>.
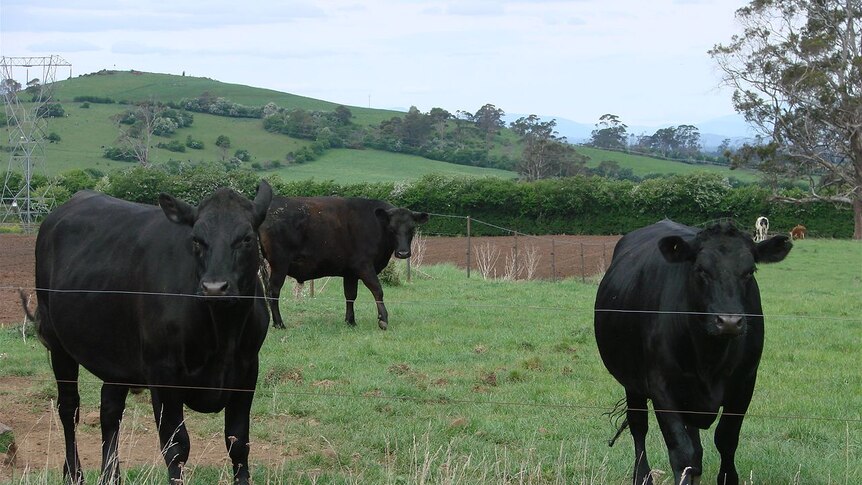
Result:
<point x="678" y="321"/>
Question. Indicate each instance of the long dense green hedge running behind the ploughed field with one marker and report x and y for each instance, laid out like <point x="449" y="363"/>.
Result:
<point x="576" y="205"/>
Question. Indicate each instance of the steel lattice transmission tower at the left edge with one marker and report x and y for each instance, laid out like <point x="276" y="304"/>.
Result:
<point x="26" y="128"/>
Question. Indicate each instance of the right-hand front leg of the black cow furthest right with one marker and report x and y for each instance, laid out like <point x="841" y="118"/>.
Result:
<point x="727" y="431"/>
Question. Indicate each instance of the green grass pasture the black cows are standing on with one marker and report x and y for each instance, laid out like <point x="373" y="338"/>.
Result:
<point x="481" y="381"/>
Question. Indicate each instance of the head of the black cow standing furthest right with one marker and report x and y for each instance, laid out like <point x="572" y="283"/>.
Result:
<point x="721" y="262"/>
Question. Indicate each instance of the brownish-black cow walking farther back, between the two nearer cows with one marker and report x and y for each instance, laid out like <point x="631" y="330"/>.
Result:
<point x="311" y="237"/>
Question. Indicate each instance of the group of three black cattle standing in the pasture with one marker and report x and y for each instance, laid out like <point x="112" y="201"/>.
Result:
<point x="169" y="298"/>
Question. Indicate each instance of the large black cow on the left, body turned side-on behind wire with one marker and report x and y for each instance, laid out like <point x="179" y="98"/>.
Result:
<point x="165" y="298"/>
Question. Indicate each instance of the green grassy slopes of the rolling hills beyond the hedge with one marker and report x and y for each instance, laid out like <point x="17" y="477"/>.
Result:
<point x="85" y="131"/>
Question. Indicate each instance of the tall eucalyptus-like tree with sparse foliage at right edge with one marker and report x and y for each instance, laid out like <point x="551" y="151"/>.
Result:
<point x="796" y="72"/>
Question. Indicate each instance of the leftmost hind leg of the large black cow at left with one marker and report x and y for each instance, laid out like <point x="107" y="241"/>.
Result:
<point x="68" y="408"/>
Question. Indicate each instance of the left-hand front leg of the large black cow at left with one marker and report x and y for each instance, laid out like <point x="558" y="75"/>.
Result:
<point x="173" y="437"/>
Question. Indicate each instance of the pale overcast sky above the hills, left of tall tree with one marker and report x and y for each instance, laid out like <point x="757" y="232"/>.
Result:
<point x="643" y="60"/>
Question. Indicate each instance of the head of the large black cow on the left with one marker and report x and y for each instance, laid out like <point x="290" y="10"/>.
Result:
<point x="223" y="237"/>
